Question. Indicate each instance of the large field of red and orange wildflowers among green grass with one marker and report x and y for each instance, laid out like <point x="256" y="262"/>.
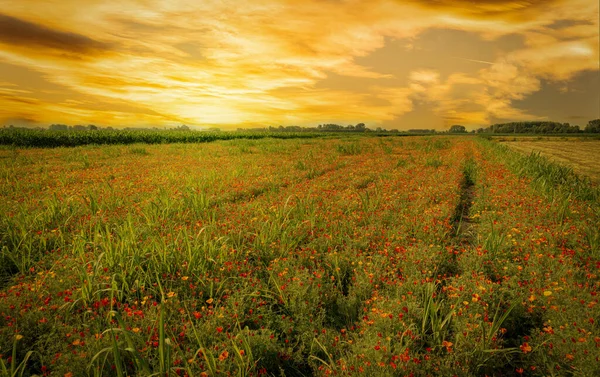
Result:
<point x="371" y="256"/>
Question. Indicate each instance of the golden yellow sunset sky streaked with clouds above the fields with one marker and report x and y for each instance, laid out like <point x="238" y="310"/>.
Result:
<point x="231" y="63"/>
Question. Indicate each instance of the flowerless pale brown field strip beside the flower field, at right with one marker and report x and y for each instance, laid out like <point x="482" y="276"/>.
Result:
<point x="583" y="155"/>
